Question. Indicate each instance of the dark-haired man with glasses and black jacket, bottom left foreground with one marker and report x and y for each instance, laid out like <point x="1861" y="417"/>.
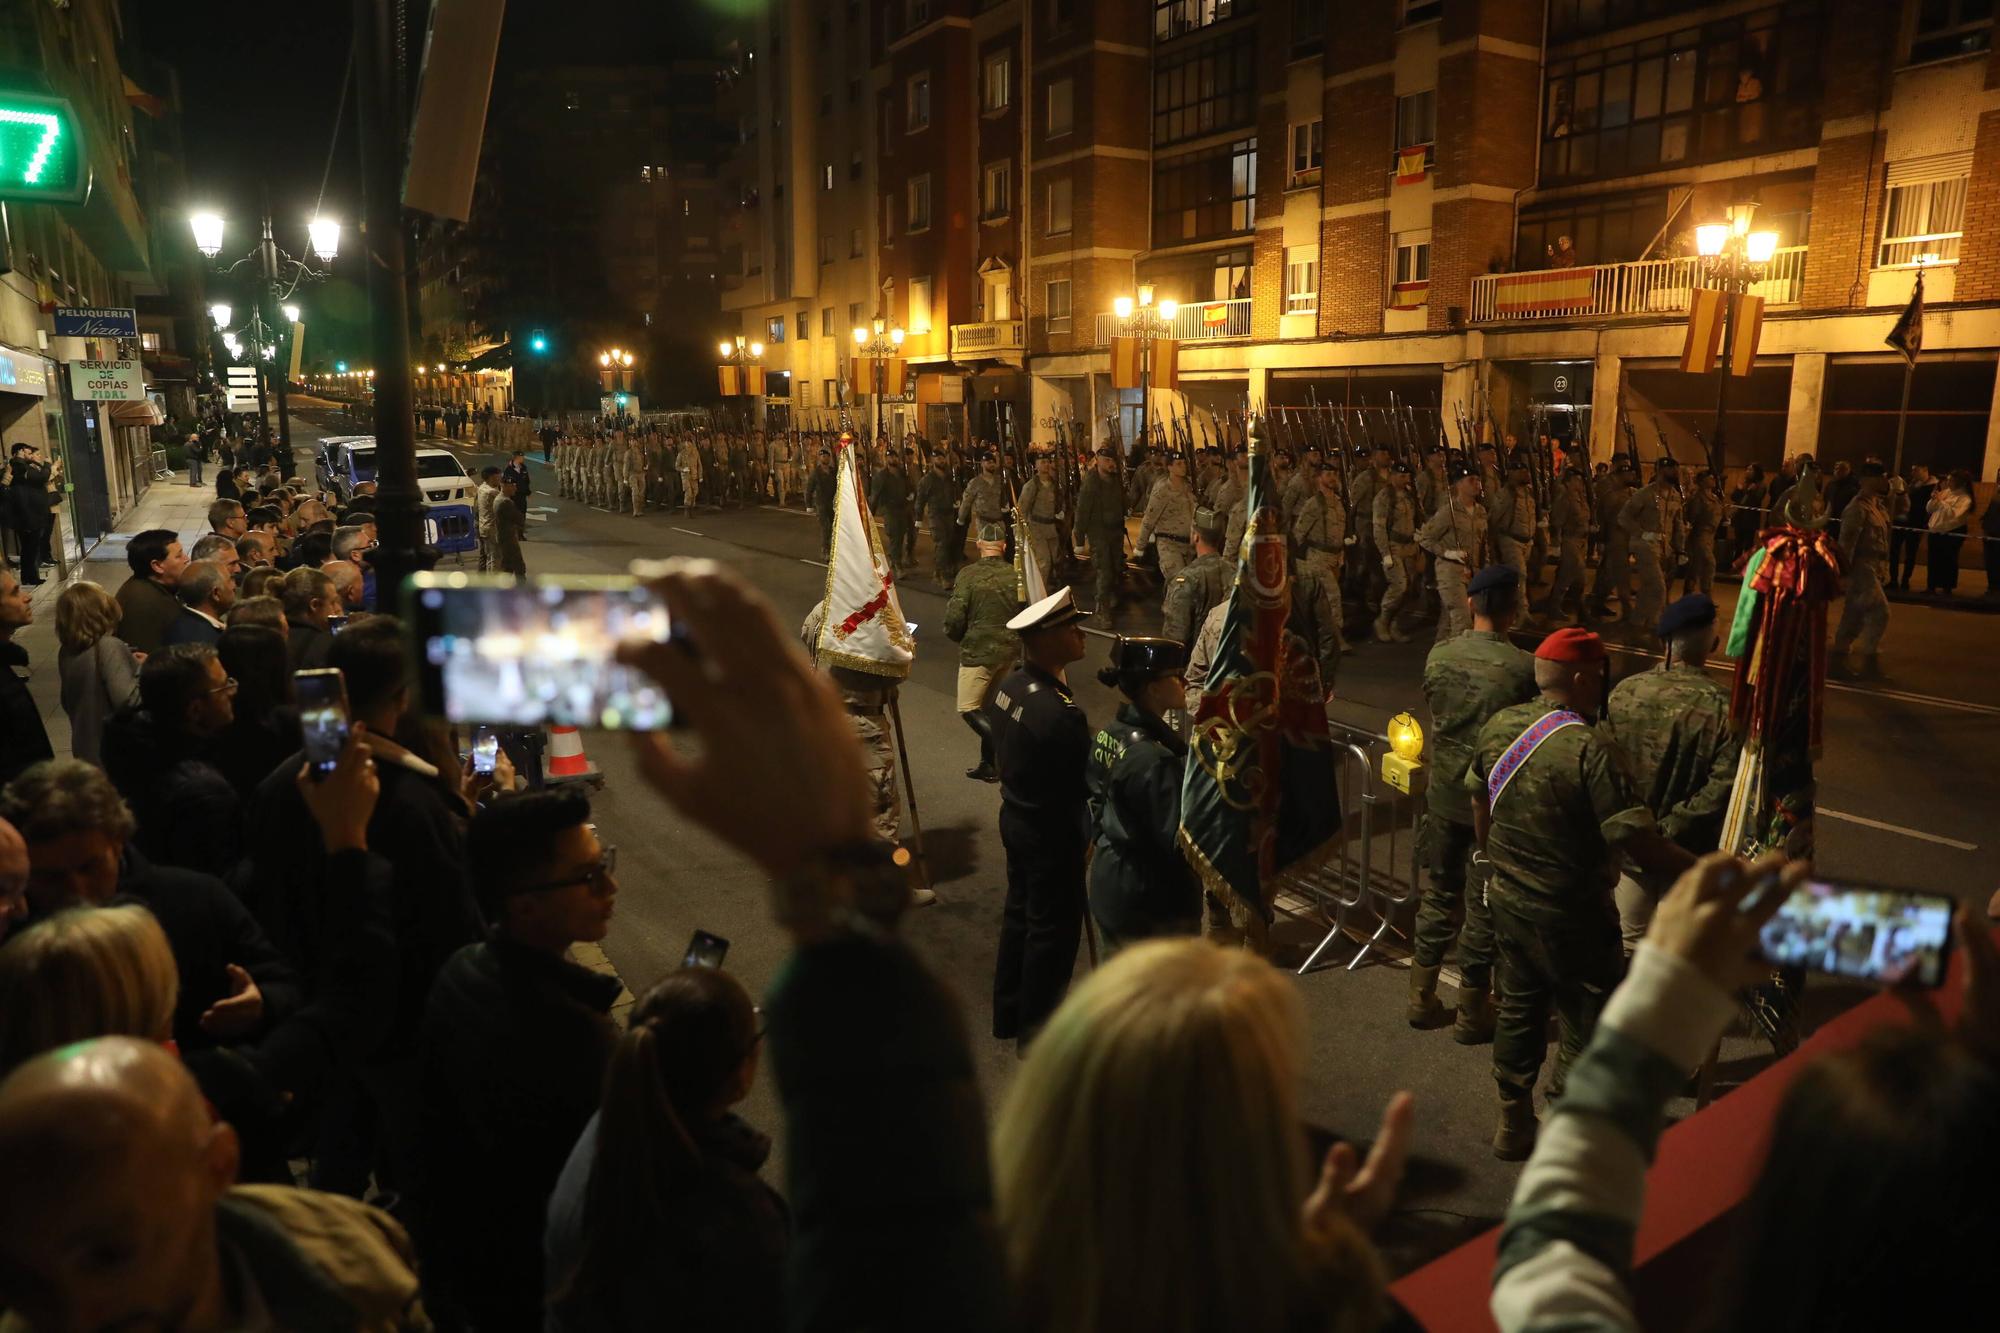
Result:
<point x="513" y="1058"/>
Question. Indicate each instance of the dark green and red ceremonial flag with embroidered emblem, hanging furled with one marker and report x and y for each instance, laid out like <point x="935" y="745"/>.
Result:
<point x="1259" y="802"/>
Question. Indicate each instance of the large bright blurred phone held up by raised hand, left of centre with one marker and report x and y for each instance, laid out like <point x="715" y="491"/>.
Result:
<point x="531" y="653"/>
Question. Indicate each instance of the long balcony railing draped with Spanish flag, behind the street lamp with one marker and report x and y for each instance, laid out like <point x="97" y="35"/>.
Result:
<point x="1609" y="291"/>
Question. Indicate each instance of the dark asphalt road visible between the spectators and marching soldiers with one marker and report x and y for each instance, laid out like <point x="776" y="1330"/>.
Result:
<point x="1911" y="784"/>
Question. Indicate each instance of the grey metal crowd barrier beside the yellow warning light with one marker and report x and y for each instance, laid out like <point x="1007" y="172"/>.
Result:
<point x="1379" y="864"/>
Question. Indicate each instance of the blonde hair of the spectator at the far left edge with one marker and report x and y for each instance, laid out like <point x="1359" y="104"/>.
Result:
<point x="89" y="972"/>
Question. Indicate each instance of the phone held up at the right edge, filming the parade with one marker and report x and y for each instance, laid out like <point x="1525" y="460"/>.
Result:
<point x="1883" y="936"/>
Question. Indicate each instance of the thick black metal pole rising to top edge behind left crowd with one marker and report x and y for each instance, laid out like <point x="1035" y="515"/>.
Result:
<point x="383" y="145"/>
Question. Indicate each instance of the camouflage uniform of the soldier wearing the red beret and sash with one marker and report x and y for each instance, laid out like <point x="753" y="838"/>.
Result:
<point x="1547" y="856"/>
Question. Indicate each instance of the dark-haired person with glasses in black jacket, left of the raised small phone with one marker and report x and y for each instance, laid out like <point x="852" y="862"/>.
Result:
<point x="187" y="812"/>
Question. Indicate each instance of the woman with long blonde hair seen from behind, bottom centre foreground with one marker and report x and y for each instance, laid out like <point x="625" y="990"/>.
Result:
<point x="1151" y="1160"/>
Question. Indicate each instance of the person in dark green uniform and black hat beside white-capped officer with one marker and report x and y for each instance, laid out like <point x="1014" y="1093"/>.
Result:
<point x="1141" y="884"/>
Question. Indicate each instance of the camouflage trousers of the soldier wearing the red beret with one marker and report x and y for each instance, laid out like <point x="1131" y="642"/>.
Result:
<point x="1569" y="966"/>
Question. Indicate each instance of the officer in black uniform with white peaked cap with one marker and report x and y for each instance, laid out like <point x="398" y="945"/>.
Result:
<point x="1043" y="744"/>
